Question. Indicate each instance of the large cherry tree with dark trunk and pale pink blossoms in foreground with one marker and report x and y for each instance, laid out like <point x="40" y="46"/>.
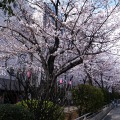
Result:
<point x="59" y="35"/>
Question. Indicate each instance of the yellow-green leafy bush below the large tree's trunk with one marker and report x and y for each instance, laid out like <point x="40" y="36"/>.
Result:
<point x="44" y="110"/>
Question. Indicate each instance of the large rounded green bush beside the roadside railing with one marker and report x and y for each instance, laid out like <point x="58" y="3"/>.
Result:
<point x="87" y="98"/>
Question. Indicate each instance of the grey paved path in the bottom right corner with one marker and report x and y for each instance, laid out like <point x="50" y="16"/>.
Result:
<point x="113" y="114"/>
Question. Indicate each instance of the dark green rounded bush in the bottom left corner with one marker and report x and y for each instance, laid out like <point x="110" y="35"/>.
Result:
<point x="13" y="112"/>
